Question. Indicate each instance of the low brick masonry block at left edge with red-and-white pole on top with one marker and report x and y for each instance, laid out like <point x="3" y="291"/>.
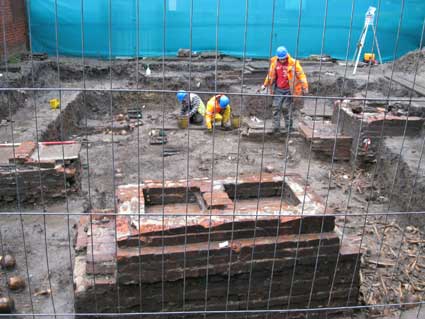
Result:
<point x="51" y="161"/>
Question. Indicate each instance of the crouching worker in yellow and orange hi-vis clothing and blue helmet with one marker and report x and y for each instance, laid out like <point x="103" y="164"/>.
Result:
<point x="218" y="110"/>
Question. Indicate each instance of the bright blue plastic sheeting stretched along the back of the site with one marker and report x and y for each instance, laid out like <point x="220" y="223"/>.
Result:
<point x="110" y="27"/>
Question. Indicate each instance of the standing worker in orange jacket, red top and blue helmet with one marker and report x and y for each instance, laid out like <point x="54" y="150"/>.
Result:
<point x="281" y="81"/>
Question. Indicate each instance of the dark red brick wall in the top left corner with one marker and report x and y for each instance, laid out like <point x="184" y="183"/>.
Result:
<point x="15" y="22"/>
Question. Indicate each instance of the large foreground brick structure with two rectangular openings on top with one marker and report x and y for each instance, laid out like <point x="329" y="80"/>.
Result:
<point x="126" y="252"/>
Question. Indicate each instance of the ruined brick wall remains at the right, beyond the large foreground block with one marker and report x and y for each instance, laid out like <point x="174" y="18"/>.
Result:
<point x="359" y="130"/>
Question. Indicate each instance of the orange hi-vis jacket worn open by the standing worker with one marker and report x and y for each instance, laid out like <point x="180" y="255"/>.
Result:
<point x="300" y="82"/>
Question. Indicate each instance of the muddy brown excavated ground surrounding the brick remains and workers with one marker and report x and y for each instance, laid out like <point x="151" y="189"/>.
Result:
<point x="112" y="157"/>
